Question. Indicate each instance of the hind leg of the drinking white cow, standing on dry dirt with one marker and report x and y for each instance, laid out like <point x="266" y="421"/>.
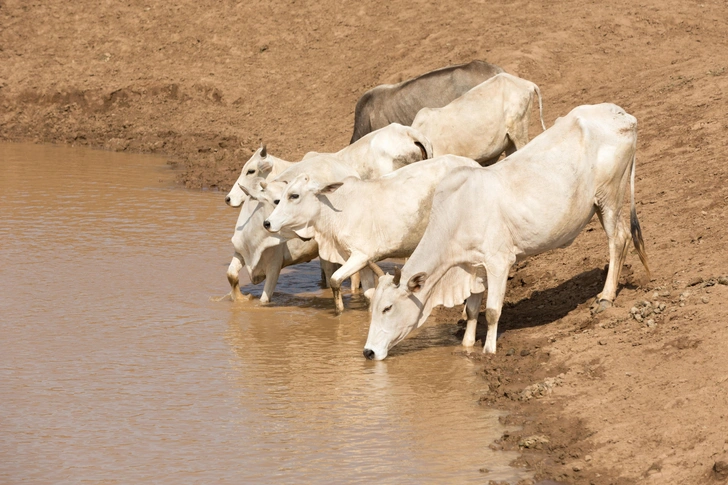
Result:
<point x="618" y="236"/>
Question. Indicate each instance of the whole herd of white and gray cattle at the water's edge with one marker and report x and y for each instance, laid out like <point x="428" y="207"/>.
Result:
<point x="435" y="192"/>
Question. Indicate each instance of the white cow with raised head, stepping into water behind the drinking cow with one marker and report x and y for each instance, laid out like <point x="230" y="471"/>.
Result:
<point x="358" y="222"/>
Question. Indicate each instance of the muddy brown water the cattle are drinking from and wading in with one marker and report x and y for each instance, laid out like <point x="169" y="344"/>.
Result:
<point x="116" y="367"/>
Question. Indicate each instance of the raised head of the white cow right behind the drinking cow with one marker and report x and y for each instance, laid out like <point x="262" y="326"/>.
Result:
<point x="298" y="206"/>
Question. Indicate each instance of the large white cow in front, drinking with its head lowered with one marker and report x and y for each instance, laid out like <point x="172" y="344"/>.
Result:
<point x="539" y="198"/>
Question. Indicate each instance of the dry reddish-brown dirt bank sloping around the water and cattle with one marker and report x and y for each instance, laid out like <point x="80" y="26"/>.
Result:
<point x="605" y="399"/>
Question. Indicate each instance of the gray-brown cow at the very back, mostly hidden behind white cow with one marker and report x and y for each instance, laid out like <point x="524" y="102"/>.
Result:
<point x="399" y="103"/>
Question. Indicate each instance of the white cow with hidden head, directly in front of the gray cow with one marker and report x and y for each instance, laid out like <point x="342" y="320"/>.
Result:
<point x="490" y="118"/>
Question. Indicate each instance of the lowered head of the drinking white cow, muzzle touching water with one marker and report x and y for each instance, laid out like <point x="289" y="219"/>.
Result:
<point x="396" y="311"/>
